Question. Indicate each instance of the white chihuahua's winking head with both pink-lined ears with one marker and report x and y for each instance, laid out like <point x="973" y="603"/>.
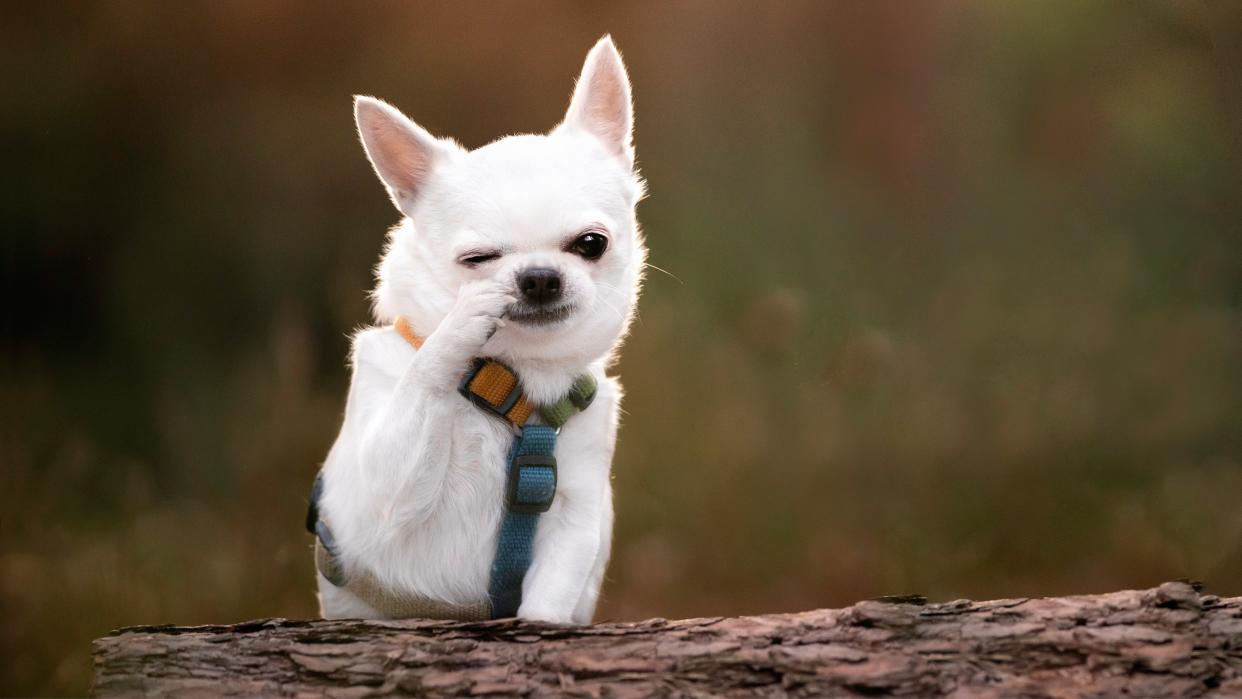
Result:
<point x="551" y="215"/>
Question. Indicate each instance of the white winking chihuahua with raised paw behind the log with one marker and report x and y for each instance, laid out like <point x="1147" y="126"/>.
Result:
<point x="526" y="253"/>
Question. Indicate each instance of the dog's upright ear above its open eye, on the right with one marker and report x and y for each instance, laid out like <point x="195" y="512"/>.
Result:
<point x="602" y="104"/>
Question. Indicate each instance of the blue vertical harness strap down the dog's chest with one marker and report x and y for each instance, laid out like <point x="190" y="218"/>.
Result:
<point x="530" y="491"/>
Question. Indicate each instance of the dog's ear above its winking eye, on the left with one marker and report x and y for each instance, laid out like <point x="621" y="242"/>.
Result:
<point x="403" y="153"/>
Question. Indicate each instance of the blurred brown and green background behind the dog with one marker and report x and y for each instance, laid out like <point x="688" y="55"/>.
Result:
<point x="953" y="306"/>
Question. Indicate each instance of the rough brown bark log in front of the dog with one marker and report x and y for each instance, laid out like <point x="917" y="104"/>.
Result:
<point x="1171" y="641"/>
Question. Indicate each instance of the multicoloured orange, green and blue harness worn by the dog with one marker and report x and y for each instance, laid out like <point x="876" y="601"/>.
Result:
<point x="531" y="487"/>
